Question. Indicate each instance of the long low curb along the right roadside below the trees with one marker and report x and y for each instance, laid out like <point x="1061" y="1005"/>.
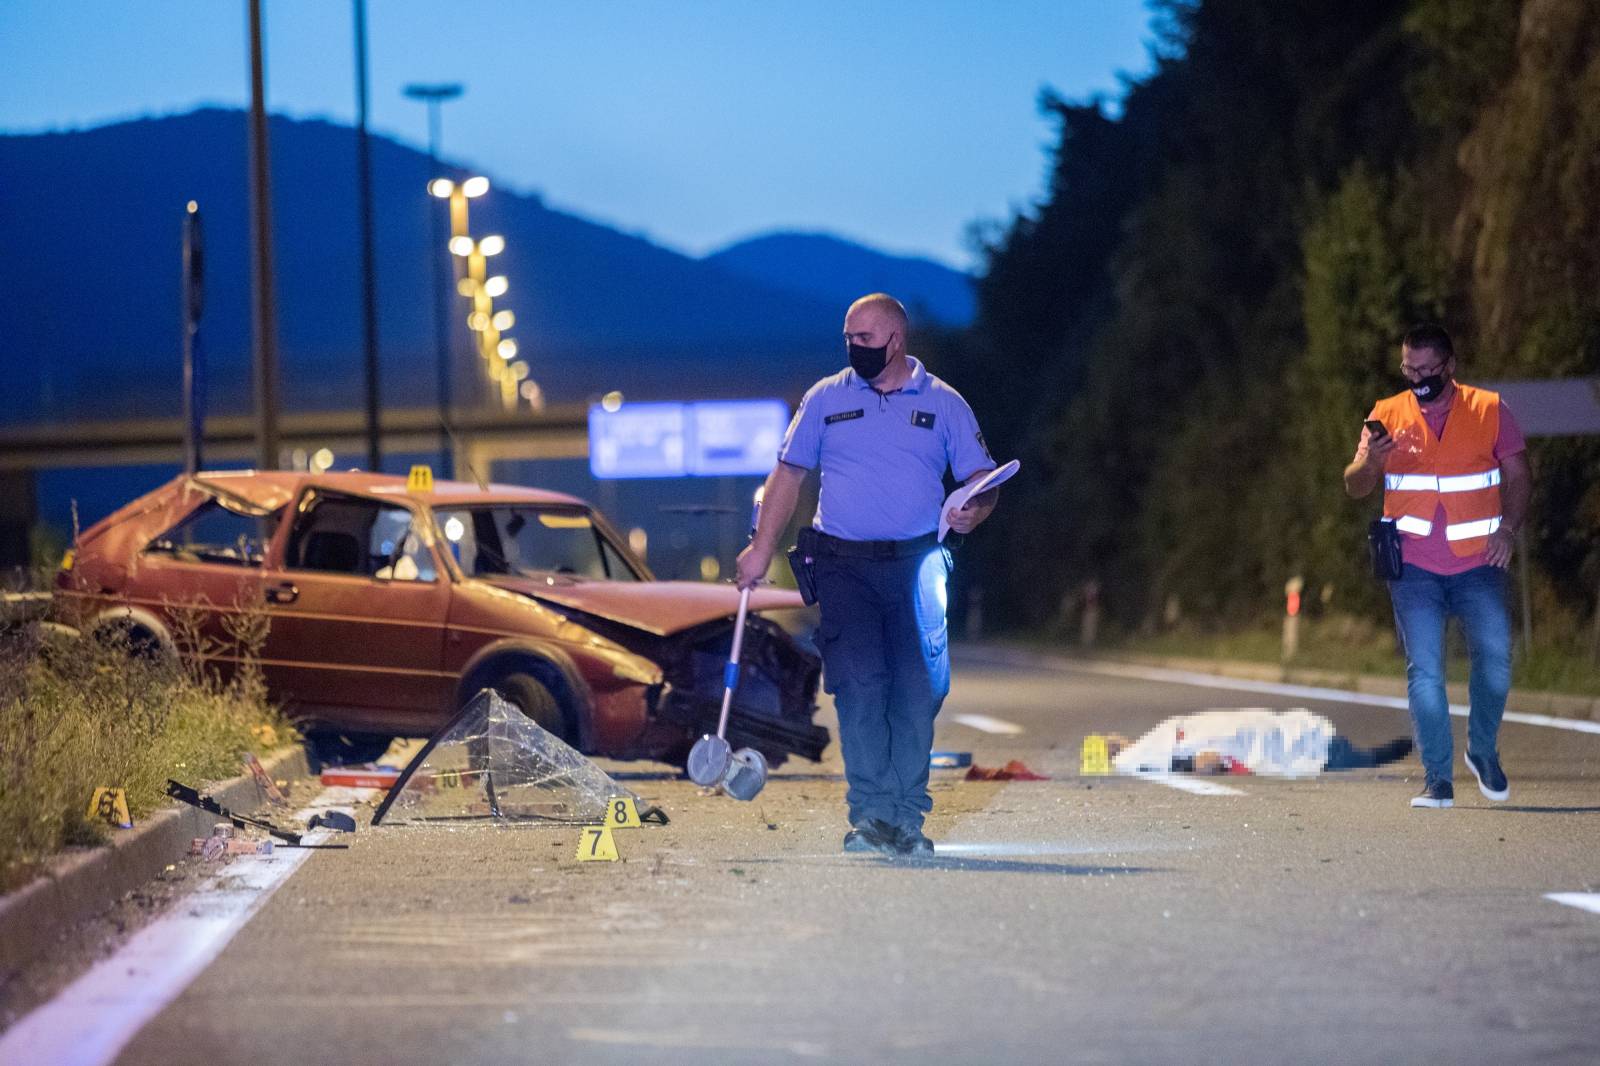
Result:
<point x="1524" y="702"/>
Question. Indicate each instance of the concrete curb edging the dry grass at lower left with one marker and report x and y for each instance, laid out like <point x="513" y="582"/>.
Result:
<point x="78" y="888"/>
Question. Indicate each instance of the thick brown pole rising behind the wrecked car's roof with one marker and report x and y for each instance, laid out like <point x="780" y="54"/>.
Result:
<point x="265" y="307"/>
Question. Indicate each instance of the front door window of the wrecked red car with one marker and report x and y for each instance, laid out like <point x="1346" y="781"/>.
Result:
<point x="359" y="537"/>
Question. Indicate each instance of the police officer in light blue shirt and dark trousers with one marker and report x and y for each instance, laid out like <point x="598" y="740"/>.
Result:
<point x="884" y="433"/>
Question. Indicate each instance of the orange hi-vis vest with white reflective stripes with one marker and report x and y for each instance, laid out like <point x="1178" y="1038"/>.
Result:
<point x="1458" y="471"/>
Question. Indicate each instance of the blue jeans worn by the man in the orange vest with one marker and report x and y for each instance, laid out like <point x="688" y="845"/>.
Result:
<point x="1478" y="598"/>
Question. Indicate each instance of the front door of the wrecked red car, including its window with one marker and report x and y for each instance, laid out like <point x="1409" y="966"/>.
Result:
<point x="359" y="609"/>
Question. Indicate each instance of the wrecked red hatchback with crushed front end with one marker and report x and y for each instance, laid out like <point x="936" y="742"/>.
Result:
<point x="385" y="611"/>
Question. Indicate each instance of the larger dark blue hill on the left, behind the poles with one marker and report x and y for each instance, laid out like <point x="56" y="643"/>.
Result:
<point x="89" y="323"/>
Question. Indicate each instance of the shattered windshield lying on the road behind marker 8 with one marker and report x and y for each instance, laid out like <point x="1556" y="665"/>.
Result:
<point x="494" y="763"/>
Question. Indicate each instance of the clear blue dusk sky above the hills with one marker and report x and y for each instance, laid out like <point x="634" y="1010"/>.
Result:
<point x="697" y="124"/>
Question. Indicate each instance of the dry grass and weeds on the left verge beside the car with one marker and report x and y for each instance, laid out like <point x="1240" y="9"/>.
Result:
<point x="78" y="715"/>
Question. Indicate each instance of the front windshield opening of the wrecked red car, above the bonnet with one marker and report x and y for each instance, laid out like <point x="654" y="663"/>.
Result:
<point x="530" y="542"/>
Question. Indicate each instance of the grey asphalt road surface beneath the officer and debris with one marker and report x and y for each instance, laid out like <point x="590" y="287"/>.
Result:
<point x="1076" y="920"/>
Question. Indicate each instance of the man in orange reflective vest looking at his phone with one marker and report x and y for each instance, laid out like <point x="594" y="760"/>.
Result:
<point x="1455" y="475"/>
